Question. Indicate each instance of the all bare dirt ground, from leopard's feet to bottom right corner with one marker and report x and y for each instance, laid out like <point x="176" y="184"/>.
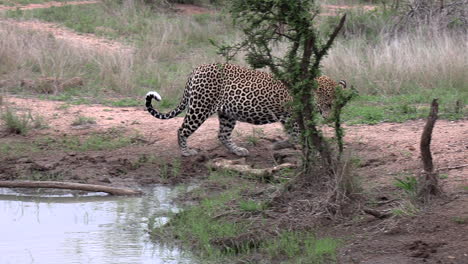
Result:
<point x="438" y="234"/>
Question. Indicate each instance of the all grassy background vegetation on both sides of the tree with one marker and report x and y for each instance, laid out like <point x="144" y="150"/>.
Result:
<point x="394" y="73"/>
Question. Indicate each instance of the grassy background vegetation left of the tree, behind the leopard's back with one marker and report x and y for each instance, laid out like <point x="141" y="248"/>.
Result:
<point x="166" y="48"/>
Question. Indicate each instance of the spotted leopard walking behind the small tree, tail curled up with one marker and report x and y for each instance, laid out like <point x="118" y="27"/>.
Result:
<point x="237" y="93"/>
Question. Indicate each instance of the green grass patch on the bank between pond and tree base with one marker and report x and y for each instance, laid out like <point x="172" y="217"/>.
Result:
<point x="198" y="227"/>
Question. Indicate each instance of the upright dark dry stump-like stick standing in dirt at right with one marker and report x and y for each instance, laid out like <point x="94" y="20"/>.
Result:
<point x="428" y="183"/>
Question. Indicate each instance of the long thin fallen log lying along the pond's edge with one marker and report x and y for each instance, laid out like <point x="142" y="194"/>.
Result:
<point x="69" y="186"/>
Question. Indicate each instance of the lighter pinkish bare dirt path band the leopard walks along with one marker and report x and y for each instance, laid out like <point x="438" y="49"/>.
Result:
<point x="385" y="150"/>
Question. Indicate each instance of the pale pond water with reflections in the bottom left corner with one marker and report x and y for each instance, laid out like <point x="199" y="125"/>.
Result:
<point x="91" y="229"/>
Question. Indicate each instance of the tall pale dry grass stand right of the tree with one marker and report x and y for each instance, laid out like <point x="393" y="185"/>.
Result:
<point x="401" y="64"/>
